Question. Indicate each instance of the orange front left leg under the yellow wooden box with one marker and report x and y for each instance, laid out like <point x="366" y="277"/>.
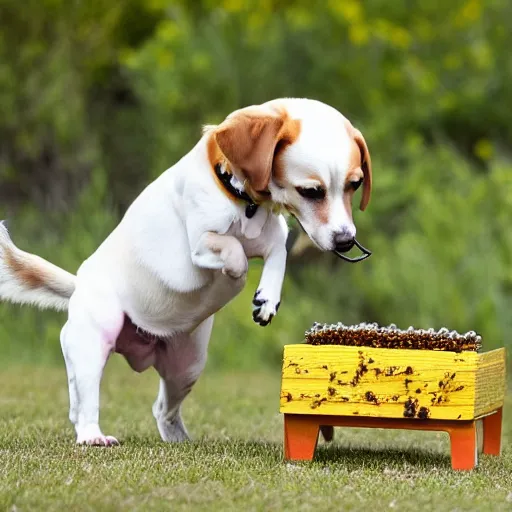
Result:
<point x="300" y="436"/>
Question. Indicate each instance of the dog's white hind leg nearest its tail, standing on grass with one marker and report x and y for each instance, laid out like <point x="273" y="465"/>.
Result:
<point x="87" y="340"/>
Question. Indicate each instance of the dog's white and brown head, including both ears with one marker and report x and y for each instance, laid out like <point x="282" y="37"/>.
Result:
<point x="303" y="155"/>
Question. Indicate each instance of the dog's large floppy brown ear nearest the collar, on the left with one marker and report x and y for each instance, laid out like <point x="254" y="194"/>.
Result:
<point x="248" y="139"/>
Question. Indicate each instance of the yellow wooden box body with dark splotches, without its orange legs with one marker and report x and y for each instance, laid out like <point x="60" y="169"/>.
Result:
<point x="391" y="383"/>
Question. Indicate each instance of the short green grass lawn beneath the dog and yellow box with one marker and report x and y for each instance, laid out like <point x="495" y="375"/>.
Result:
<point x="235" y="463"/>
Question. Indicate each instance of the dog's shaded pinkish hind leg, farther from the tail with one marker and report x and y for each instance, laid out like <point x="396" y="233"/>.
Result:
<point x="179" y="362"/>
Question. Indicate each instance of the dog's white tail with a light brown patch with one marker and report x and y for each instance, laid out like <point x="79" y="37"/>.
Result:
<point x="28" y="279"/>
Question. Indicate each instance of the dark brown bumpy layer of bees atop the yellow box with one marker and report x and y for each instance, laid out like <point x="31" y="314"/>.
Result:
<point x="373" y="335"/>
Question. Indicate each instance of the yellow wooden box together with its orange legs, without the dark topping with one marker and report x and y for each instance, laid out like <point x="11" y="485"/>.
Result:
<point x="332" y="385"/>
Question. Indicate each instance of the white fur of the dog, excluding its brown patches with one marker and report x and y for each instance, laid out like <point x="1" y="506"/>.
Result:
<point x="178" y="256"/>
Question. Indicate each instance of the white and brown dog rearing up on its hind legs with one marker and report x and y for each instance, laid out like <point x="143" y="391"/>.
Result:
<point x="180" y="252"/>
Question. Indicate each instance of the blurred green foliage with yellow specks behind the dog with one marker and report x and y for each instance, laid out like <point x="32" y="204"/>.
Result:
<point x="98" y="98"/>
